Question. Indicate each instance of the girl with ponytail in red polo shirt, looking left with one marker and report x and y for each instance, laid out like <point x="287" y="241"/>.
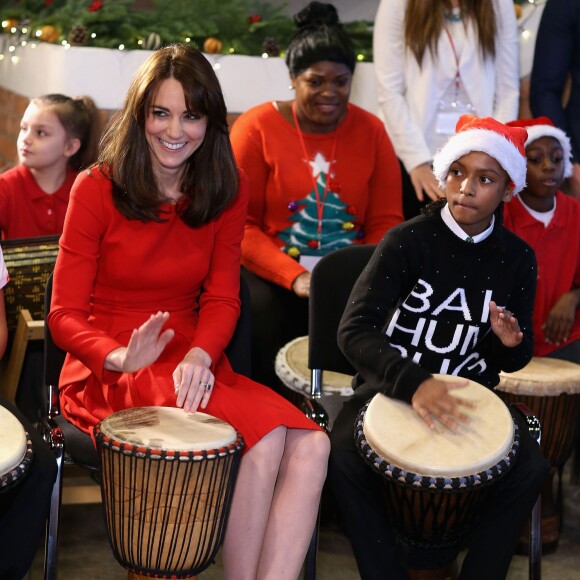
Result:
<point x="58" y="137"/>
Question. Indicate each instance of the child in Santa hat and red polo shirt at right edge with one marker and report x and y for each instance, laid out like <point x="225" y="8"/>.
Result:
<point x="549" y="221"/>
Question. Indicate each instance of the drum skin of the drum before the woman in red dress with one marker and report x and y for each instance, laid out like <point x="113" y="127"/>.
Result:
<point x="168" y="429"/>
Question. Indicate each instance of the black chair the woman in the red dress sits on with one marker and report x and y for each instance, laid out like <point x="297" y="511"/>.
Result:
<point x="73" y="446"/>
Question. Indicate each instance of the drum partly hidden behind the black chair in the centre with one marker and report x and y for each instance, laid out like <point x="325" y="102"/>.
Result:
<point x="292" y="369"/>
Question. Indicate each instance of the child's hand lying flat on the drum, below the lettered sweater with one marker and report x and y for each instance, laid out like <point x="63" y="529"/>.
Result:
<point x="433" y="401"/>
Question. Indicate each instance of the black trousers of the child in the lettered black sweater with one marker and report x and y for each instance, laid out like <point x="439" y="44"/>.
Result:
<point x="358" y="494"/>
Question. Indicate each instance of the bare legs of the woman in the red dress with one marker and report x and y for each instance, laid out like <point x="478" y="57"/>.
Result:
<point x="275" y="505"/>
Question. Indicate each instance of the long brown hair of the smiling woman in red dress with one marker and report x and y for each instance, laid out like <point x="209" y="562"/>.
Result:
<point x="210" y="180"/>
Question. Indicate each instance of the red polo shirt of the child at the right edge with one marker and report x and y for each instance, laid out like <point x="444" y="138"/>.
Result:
<point x="557" y="250"/>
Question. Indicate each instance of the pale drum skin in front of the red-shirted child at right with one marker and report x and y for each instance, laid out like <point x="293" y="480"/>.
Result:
<point x="542" y="377"/>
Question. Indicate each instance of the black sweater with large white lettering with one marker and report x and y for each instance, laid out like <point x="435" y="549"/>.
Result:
<point x="421" y="306"/>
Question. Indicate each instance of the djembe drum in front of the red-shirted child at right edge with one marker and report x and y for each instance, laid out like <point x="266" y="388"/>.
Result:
<point x="551" y="389"/>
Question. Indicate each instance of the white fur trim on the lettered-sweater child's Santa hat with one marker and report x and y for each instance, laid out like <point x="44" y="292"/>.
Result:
<point x="487" y="141"/>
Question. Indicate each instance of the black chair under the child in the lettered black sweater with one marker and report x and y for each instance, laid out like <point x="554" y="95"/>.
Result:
<point x="331" y="283"/>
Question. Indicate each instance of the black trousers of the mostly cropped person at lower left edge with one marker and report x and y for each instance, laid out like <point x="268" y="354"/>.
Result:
<point x="24" y="508"/>
